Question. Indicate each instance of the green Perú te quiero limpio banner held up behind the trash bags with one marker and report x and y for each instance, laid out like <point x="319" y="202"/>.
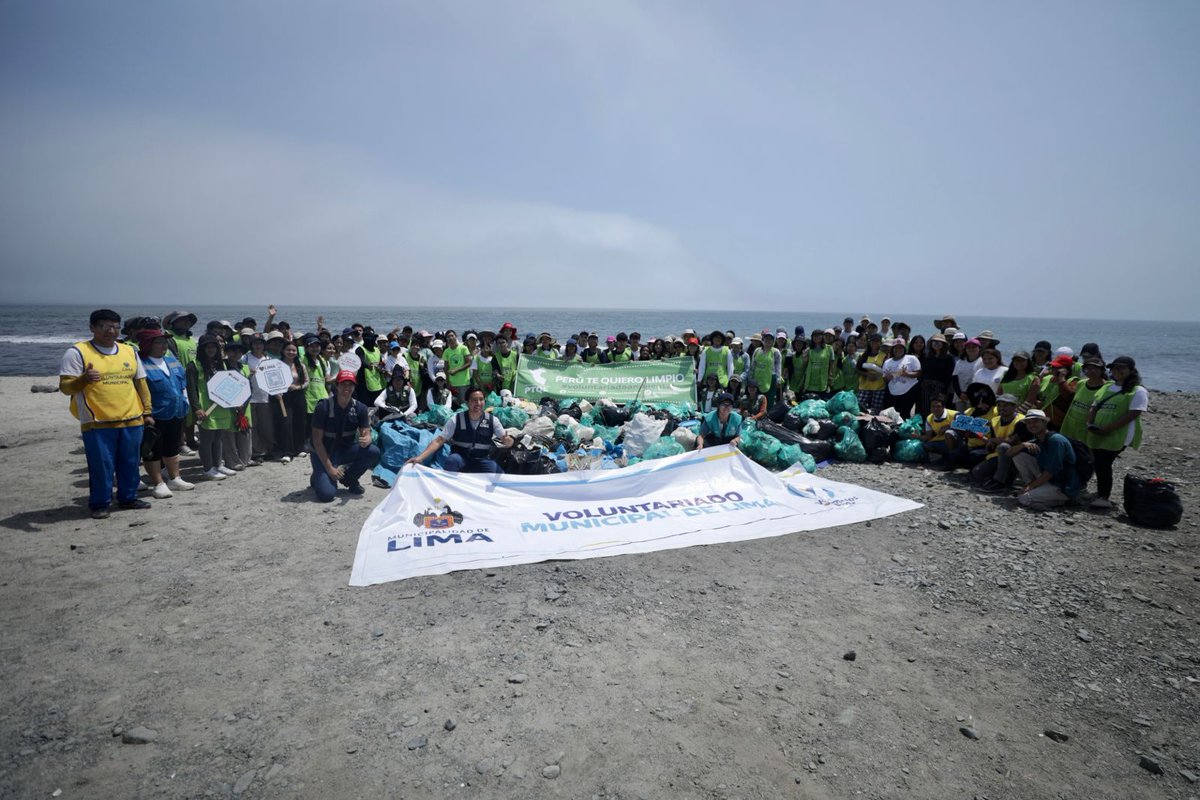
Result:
<point x="670" y="381"/>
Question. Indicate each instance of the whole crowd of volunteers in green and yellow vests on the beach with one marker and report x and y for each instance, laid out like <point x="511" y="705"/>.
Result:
<point x="140" y="390"/>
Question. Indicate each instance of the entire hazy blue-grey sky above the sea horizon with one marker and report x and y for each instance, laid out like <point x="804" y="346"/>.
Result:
<point x="1025" y="159"/>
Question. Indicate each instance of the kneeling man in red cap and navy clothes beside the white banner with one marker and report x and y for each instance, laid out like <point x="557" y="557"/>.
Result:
<point x="341" y="441"/>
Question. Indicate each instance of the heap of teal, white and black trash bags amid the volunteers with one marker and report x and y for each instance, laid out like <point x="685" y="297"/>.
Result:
<point x="574" y="435"/>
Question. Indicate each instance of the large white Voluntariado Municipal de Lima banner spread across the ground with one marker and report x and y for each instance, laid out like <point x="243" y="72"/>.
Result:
<point x="436" y="522"/>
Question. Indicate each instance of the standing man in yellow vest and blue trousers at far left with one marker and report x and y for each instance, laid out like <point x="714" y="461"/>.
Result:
<point x="110" y="398"/>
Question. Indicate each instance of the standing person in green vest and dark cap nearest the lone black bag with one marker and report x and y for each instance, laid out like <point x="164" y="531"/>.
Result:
<point x="1114" y="424"/>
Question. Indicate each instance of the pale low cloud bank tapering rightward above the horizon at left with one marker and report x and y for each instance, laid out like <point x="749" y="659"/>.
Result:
<point x="155" y="208"/>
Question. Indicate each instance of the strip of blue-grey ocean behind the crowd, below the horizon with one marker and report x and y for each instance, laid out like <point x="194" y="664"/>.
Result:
<point x="34" y="338"/>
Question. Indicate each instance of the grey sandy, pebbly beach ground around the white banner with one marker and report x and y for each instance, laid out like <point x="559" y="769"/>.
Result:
<point x="219" y="627"/>
